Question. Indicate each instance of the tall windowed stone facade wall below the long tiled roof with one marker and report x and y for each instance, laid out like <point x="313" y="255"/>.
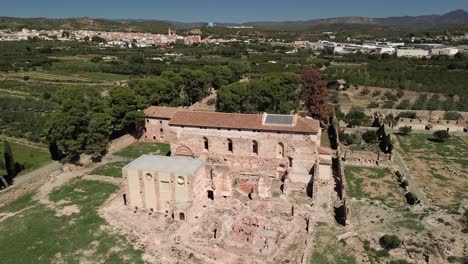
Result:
<point x="235" y="157"/>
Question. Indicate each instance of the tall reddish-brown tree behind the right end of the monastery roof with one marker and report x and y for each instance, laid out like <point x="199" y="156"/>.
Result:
<point x="315" y="94"/>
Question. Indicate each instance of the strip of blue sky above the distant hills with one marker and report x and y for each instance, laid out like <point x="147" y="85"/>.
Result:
<point x="226" y="10"/>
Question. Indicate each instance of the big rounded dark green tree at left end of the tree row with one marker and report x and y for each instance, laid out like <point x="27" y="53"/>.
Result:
<point x="79" y="123"/>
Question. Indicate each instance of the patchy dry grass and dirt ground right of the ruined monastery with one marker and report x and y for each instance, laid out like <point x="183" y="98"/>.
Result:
<point x="431" y="232"/>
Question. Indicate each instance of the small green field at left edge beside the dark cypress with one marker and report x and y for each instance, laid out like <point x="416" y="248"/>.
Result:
<point x="30" y="156"/>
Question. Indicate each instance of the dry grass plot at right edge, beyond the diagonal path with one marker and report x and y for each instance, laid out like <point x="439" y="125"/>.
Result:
<point x="440" y="168"/>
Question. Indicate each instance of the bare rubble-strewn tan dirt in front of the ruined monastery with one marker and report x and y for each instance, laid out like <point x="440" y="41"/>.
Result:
<point x="231" y="230"/>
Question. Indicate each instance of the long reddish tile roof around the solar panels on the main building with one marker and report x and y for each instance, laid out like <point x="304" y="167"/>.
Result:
<point x="240" y="121"/>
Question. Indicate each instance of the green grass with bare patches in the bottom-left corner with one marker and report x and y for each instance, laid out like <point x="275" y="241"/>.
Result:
<point x="66" y="230"/>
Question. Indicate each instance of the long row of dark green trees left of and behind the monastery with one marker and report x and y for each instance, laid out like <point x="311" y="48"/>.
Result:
<point x="85" y="120"/>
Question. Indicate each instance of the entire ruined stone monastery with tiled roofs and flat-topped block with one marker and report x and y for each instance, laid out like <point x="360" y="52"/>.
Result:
<point x="216" y="156"/>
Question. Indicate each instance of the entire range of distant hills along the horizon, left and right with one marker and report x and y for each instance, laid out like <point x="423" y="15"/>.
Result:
<point x="350" y="24"/>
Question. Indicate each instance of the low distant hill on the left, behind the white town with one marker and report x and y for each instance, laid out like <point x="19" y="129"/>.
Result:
<point x="85" y="23"/>
